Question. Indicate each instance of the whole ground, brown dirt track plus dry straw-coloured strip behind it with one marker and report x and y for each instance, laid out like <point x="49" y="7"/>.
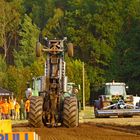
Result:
<point x="90" y="129"/>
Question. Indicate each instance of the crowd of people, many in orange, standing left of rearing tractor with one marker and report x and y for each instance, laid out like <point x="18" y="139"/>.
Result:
<point x="11" y="109"/>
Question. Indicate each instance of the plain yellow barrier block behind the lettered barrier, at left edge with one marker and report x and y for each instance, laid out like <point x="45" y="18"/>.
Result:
<point x="5" y="126"/>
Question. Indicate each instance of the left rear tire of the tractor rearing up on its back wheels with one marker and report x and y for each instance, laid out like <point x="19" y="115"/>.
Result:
<point x="36" y="109"/>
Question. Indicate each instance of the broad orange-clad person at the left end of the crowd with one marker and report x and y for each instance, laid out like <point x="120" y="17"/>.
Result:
<point x="5" y="110"/>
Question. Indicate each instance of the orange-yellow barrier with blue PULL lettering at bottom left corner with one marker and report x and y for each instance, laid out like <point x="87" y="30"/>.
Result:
<point x="19" y="136"/>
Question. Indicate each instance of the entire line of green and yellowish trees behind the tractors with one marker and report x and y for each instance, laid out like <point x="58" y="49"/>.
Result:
<point x="105" y="34"/>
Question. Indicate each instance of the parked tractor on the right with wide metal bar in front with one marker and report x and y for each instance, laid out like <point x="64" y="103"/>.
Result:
<point x="115" y="102"/>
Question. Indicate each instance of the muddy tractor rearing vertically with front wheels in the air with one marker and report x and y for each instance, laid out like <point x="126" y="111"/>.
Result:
<point x="53" y="101"/>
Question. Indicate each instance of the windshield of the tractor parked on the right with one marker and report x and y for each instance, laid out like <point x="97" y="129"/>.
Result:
<point x="115" y="90"/>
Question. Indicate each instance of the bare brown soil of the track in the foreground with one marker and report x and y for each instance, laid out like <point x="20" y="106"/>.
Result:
<point x="86" y="131"/>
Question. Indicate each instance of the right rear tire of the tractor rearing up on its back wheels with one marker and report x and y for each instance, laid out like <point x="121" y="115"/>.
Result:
<point x="70" y="112"/>
